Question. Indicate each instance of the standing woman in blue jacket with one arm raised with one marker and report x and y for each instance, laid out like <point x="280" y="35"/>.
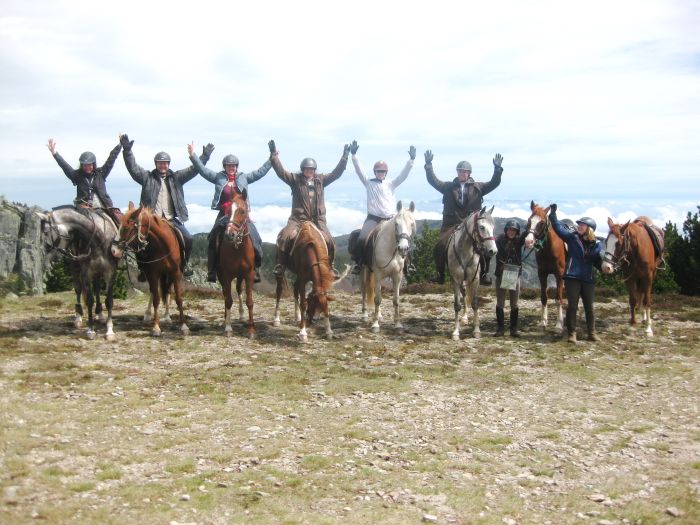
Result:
<point x="584" y="251"/>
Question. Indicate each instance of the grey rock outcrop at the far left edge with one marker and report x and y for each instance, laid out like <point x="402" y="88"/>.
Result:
<point x="21" y="251"/>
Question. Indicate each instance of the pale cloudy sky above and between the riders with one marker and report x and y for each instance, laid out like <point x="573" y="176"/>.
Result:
<point x="593" y="105"/>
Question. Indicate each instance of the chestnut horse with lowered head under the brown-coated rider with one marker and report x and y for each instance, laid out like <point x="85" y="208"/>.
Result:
<point x="309" y="260"/>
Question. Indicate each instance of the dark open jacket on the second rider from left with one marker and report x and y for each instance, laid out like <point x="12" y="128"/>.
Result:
<point x="151" y="181"/>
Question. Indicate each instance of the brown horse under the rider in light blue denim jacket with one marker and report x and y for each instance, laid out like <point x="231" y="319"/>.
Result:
<point x="237" y="259"/>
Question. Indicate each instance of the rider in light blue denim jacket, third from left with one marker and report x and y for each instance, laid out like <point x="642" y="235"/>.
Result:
<point x="227" y="182"/>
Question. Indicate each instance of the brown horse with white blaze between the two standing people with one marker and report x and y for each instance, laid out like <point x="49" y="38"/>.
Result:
<point x="550" y="253"/>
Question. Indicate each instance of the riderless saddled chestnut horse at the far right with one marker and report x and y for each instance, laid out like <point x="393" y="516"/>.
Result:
<point x="630" y="248"/>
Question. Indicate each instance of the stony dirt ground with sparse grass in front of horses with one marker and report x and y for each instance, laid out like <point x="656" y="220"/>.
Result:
<point x="396" y="427"/>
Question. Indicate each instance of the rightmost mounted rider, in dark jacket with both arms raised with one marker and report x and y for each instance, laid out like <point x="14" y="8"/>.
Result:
<point x="460" y="197"/>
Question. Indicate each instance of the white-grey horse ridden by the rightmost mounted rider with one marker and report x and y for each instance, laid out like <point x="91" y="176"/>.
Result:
<point x="472" y="237"/>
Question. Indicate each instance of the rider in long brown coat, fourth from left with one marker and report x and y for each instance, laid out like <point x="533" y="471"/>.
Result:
<point x="307" y="203"/>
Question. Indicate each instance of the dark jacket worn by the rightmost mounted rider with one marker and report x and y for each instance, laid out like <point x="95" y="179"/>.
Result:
<point x="458" y="202"/>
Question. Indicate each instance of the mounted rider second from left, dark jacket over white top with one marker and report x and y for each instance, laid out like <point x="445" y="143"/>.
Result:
<point x="162" y="190"/>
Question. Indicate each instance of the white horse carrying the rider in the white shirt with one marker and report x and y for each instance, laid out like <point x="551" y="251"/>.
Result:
<point x="390" y="248"/>
